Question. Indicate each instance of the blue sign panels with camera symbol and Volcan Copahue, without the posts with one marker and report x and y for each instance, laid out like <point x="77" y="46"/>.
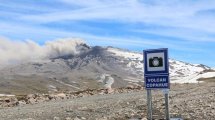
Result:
<point x="156" y="69"/>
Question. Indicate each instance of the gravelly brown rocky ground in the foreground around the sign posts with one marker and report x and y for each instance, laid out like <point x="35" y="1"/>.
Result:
<point x="189" y="101"/>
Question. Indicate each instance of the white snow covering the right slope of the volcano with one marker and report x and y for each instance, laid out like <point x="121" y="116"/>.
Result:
<point x="180" y="72"/>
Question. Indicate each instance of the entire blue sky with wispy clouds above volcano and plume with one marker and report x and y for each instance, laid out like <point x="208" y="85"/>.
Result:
<point x="186" y="27"/>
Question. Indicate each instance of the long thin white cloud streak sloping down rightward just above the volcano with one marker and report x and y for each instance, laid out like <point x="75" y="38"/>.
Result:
<point x="107" y="40"/>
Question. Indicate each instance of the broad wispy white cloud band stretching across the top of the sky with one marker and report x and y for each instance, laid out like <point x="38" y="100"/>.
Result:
<point x="169" y="13"/>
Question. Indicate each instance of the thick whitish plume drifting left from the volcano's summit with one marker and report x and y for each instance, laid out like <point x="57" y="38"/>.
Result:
<point x="18" y="51"/>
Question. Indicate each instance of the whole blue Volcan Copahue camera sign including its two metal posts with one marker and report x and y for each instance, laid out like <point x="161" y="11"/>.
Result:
<point x="156" y="75"/>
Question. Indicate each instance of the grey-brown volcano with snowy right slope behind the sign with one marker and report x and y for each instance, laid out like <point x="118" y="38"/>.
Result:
<point x="90" y="67"/>
